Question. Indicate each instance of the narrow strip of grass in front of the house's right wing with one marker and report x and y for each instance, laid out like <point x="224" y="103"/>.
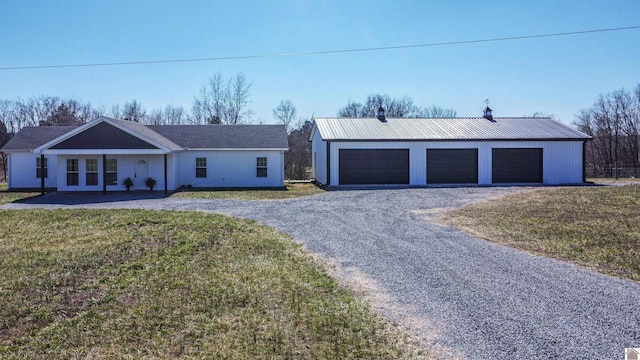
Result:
<point x="290" y="191"/>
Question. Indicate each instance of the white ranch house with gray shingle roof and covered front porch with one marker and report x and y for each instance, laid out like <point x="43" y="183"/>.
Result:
<point x="101" y="154"/>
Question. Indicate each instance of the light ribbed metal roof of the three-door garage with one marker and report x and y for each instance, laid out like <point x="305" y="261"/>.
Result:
<point x="415" y="129"/>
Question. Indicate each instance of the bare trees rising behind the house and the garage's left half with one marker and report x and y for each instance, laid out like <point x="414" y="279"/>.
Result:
<point x="220" y="101"/>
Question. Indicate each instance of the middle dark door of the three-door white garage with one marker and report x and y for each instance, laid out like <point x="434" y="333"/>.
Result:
<point x="452" y="166"/>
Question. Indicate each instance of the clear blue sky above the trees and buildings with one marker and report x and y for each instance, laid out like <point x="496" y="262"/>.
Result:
<point x="558" y="75"/>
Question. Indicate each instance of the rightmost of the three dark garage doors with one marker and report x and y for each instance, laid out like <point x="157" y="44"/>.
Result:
<point x="517" y="166"/>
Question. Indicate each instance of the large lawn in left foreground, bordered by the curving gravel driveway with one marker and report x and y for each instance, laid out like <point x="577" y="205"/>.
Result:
<point x="161" y="284"/>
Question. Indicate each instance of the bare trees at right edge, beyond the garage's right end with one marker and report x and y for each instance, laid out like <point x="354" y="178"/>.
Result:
<point x="613" y="121"/>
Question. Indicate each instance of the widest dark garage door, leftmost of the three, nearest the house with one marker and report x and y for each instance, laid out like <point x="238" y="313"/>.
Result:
<point x="374" y="166"/>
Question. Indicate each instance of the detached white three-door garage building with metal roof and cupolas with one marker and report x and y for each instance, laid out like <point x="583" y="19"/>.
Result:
<point x="486" y="150"/>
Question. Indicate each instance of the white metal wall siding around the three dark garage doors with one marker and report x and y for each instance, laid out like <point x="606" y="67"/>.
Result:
<point x="562" y="160"/>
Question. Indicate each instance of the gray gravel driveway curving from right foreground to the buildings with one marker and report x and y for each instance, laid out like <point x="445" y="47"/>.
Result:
<point x="463" y="296"/>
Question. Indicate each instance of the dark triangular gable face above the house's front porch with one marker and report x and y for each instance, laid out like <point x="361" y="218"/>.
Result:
<point x="103" y="136"/>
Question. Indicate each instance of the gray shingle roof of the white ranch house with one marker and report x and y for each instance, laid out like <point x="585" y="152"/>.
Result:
<point x="174" y="137"/>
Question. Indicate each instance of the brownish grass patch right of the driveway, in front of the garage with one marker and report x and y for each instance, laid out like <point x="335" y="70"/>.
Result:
<point x="596" y="227"/>
